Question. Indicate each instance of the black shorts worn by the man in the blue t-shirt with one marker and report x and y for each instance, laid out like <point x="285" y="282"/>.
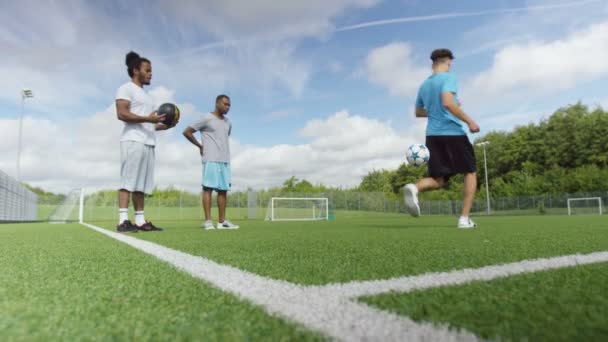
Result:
<point x="450" y="155"/>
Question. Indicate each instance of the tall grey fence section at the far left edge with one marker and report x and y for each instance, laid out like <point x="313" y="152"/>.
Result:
<point x="17" y="203"/>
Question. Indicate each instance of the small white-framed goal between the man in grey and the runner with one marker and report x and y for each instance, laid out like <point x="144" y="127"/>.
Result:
<point x="297" y="209"/>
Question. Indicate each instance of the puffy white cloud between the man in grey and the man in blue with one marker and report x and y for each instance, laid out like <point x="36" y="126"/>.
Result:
<point x="342" y="149"/>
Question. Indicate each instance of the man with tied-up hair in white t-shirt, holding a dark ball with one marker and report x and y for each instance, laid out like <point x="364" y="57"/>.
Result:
<point x="136" y="109"/>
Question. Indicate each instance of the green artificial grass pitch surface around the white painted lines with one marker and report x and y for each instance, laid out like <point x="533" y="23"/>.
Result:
<point x="67" y="282"/>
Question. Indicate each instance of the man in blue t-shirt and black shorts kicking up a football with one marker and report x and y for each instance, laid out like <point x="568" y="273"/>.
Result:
<point x="451" y="151"/>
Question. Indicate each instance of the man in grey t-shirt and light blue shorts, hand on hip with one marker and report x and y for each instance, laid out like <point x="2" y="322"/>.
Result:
<point x="215" y="129"/>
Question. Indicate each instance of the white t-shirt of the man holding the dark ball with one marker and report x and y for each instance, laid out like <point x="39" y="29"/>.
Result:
<point x="142" y="104"/>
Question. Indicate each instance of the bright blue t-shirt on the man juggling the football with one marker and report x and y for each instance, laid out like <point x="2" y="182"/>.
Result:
<point x="440" y="121"/>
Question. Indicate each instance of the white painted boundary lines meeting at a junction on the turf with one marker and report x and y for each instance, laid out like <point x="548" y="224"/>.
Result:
<point x="331" y="309"/>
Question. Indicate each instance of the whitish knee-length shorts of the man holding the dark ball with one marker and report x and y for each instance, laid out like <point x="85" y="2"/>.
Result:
<point x="136" y="167"/>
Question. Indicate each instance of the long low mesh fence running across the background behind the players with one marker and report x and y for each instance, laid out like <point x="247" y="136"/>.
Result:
<point x="254" y="204"/>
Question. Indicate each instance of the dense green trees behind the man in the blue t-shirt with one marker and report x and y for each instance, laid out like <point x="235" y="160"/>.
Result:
<point x="565" y="153"/>
